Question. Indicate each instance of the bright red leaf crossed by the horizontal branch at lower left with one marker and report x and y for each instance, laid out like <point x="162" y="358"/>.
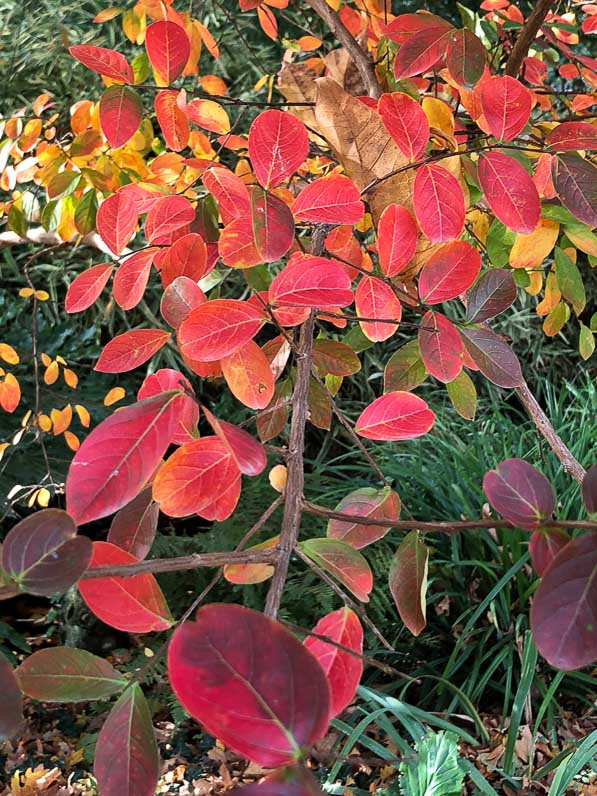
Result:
<point x="133" y="604"/>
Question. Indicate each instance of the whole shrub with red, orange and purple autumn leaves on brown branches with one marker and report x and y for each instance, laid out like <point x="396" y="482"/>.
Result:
<point x="418" y="175"/>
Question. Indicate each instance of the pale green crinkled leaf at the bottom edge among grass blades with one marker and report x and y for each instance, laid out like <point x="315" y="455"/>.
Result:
<point x="437" y="769"/>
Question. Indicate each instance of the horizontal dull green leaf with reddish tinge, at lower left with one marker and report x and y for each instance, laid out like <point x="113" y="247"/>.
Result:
<point x="64" y="674"/>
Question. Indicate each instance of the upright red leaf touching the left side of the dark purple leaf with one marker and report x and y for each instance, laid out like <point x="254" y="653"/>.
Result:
<point x="440" y="346"/>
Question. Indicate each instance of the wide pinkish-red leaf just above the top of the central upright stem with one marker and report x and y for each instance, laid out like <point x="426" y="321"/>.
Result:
<point x="334" y="199"/>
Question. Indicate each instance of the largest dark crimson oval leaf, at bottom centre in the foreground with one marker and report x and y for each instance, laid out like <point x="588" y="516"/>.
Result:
<point x="272" y="696"/>
